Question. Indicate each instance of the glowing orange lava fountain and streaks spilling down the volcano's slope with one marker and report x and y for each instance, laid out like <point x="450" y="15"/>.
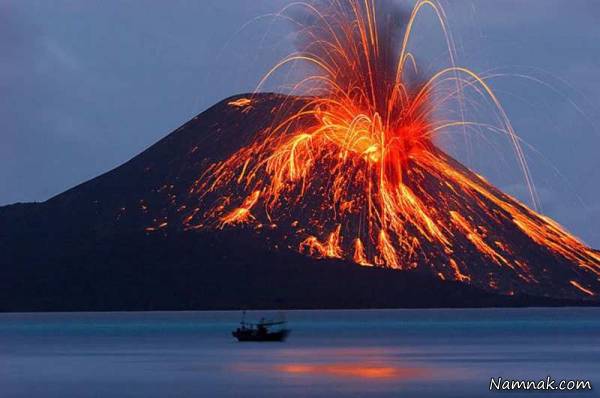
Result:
<point x="351" y="170"/>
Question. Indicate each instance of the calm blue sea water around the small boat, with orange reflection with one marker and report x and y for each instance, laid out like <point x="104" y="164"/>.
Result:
<point x="382" y="353"/>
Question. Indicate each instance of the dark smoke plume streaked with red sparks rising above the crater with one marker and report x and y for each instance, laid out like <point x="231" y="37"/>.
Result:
<point x="372" y="32"/>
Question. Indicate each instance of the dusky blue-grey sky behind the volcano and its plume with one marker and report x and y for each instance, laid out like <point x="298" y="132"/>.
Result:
<point x="86" y="85"/>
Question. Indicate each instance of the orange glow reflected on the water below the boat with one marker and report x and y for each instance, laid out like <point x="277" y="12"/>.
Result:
<point x="353" y="370"/>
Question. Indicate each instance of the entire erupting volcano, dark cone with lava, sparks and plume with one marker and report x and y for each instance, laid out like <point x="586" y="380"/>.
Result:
<point x="337" y="194"/>
